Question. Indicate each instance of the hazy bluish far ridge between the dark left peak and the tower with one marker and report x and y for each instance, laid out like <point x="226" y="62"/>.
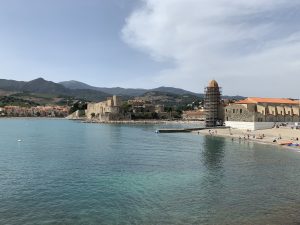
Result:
<point x="126" y="91"/>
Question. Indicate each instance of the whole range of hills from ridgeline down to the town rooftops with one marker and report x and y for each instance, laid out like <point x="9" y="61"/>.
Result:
<point x="43" y="92"/>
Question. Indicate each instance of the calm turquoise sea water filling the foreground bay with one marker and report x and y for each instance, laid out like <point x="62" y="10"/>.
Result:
<point x="65" y="172"/>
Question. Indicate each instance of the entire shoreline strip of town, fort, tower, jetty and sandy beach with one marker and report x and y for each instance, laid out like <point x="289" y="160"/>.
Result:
<point x="260" y="119"/>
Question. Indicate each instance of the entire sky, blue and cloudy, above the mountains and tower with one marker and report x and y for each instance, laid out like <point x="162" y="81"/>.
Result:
<point x="252" y="48"/>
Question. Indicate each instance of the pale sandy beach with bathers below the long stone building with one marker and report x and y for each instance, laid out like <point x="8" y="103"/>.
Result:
<point x="274" y="136"/>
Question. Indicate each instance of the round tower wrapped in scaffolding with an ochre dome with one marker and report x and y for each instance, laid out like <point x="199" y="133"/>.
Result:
<point x="212" y="104"/>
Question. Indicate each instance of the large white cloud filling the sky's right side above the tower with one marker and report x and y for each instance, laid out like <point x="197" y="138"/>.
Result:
<point x="251" y="47"/>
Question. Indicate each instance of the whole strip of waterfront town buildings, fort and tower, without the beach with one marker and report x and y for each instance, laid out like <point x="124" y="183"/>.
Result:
<point x="252" y="113"/>
